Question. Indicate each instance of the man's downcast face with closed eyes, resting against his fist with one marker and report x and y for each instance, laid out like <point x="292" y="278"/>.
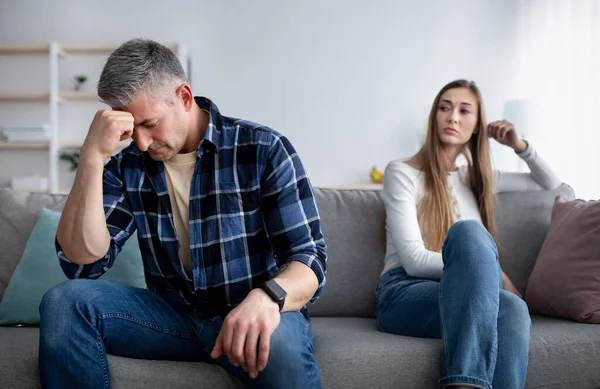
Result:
<point x="159" y="127"/>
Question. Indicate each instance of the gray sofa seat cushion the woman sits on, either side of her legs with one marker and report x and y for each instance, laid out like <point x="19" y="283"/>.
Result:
<point x="351" y="353"/>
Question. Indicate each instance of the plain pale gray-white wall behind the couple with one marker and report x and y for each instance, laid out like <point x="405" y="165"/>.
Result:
<point x="349" y="82"/>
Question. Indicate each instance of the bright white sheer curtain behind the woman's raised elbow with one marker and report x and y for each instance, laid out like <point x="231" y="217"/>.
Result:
<point x="559" y="69"/>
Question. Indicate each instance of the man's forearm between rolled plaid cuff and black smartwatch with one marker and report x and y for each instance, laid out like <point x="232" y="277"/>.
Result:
<point x="300" y="283"/>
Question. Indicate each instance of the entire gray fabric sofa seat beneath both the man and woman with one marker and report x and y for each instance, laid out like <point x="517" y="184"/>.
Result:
<point x="350" y="352"/>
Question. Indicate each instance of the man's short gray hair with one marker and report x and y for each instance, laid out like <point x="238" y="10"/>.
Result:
<point x="139" y="64"/>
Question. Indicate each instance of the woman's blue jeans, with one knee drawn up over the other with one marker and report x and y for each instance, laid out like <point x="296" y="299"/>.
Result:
<point x="484" y="329"/>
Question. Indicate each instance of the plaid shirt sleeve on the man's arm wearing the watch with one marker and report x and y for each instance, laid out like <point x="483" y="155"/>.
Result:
<point x="290" y="212"/>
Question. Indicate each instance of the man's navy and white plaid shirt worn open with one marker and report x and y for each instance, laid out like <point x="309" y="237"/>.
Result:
<point x="252" y="209"/>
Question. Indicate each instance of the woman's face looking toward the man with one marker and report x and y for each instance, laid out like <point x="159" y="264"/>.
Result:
<point x="456" y="116"/>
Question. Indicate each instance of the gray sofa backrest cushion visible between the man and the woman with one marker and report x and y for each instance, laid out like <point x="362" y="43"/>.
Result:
<point x="353" y="223"/>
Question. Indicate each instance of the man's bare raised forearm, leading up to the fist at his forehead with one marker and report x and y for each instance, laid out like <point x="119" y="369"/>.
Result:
<point x="82" y="232"/>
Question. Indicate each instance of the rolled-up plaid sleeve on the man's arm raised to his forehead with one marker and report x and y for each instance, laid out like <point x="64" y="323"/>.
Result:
<point x="119" y="220"/>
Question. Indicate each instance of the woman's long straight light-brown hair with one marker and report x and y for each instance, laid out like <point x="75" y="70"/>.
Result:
<point x="435" y="210"/>
